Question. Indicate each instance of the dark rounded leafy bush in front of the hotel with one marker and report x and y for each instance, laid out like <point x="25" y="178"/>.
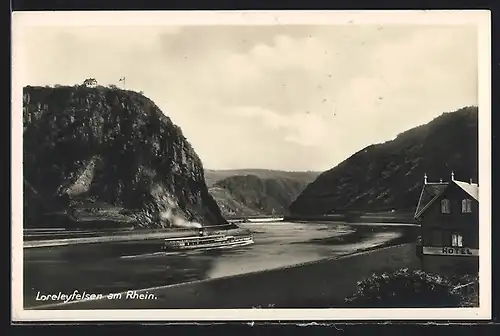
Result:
<point x="405" y="288"/>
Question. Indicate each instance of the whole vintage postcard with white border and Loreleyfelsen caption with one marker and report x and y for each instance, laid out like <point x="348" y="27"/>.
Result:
<point x="274" y="165"/>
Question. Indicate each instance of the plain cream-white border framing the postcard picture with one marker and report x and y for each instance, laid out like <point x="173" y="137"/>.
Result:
<point x="480" y="18"/>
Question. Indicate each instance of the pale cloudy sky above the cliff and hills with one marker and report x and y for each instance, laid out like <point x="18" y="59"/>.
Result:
<point x="275" y="97"/>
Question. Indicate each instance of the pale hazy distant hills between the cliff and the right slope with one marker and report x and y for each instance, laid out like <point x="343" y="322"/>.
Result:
<point x="253" y="192"/>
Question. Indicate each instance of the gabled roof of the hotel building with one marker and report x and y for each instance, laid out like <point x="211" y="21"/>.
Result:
<point x="431" y="191"/>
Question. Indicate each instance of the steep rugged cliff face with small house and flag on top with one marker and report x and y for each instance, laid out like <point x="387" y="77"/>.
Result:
<point x="106" y="148"/>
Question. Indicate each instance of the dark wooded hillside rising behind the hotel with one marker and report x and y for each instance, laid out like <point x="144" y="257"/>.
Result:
<point x="389" y="176"/>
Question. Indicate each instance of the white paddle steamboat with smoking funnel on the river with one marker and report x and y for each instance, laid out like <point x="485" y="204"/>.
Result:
<point x="207" y="241"/>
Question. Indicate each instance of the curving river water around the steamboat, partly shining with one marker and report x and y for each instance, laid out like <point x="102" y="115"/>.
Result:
<point x="116" y="267"/>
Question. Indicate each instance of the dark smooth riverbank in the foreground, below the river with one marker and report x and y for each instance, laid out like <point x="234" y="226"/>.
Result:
<point x="319" y="284"/>
